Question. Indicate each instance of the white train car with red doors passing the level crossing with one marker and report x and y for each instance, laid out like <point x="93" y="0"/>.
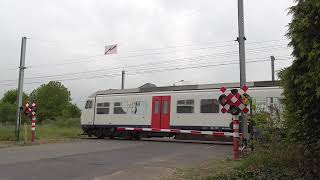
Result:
<point x="151" y="111"/>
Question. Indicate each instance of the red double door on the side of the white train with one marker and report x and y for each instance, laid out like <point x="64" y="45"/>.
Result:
<point x="161" y="112"/>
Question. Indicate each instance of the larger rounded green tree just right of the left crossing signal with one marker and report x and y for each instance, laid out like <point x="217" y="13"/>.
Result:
<point x="51" y="100"/>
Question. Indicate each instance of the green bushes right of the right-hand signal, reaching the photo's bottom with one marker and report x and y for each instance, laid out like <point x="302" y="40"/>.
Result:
<point x="273" y="157"/>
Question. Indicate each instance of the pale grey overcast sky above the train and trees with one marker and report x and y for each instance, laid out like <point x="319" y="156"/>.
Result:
<point x="67" y="38"/>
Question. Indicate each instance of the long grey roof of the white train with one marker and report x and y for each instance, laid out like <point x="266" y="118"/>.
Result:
<point x="148" y="87"/>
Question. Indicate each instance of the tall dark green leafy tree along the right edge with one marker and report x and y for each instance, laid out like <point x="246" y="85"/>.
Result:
<point x="301" y="81"/>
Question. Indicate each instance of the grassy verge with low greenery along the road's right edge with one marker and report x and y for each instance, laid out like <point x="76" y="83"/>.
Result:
<point x="275" y="161"/>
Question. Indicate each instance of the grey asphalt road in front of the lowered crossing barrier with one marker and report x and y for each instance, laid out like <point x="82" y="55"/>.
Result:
<point x="104" y="159"/>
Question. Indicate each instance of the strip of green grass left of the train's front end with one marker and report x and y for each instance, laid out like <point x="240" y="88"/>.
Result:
<point x="47" y="132"/>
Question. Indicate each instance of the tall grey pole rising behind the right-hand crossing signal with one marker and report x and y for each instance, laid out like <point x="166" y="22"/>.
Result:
<point x="241" y="39"/>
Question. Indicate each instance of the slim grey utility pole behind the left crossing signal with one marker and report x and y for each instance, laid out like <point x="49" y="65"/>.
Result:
<point x="20" y="86"/>
